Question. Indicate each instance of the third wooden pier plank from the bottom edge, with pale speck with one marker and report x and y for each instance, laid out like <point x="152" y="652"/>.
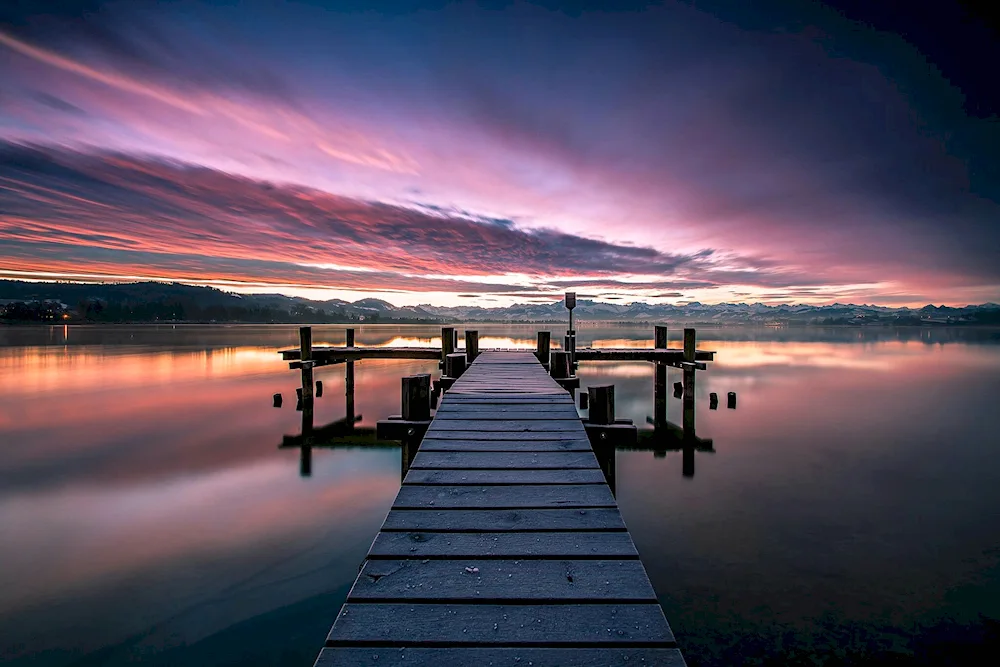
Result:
<point x="509" y="580"/>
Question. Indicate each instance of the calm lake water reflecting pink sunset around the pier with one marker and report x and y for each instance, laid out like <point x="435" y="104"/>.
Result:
<point x="850" y="513"/>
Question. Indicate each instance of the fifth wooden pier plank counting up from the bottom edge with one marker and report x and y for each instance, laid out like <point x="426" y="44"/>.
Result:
<point x="491" y="521"/>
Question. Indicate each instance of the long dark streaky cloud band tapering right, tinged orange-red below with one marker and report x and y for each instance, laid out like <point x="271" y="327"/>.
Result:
<point x="122" y="203"/>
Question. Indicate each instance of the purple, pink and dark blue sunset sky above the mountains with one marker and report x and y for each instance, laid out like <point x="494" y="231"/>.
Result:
<point x="498" y="152"/>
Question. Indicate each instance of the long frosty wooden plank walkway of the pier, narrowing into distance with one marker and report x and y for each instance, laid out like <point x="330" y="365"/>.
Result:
<point x="505" y="545"/>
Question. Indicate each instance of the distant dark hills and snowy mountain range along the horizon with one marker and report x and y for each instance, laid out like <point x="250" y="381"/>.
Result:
<point x="152" y="301"/>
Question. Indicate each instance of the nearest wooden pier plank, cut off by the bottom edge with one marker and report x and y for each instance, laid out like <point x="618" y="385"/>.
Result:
<point x="515" y="657"/>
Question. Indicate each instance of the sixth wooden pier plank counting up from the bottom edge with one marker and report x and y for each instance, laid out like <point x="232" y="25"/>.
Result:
<point x="504" y="497"/>
